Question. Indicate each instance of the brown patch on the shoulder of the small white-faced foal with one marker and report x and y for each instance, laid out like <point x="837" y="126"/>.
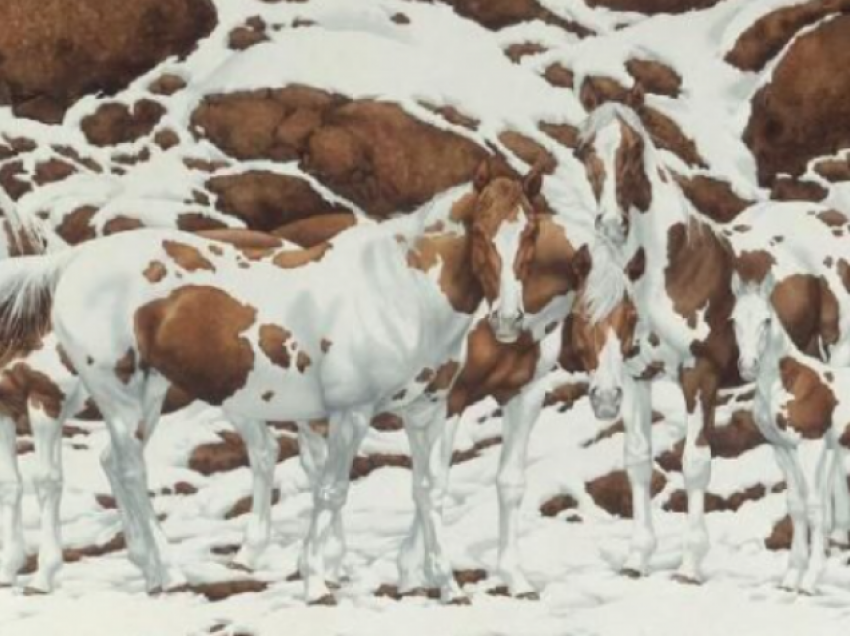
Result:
<point x="813" y="403"/>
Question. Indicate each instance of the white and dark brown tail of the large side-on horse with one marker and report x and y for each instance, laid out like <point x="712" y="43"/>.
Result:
<point x="27" y="287"/>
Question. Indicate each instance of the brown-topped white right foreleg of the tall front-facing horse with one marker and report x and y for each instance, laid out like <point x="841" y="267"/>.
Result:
<point x="699" y="385"/>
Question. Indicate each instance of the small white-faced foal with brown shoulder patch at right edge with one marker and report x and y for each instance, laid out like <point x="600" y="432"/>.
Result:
<point x="802" y="409"/>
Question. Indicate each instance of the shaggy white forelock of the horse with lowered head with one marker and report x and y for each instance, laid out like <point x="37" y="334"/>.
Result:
<point x="606" y="285"/>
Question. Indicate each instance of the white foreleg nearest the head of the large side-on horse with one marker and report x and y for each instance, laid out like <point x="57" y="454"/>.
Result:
<point x="423" y="423"/>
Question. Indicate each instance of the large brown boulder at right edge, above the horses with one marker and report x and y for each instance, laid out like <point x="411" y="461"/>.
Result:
<point x="786" y="131"/>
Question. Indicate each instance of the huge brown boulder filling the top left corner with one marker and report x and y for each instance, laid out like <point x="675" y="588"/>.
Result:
<point x="53" y="52"/>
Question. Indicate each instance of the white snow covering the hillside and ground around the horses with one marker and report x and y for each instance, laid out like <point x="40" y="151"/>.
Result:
<point x="355" y="49"/>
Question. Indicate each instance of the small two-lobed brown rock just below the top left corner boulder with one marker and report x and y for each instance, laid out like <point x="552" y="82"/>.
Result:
<point x="115" y="123"/>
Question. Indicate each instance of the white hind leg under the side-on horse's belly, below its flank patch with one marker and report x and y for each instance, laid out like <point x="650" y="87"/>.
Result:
<point x="262" y="456"/>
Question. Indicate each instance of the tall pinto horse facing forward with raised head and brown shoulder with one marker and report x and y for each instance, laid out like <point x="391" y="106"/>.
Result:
<point x="680" y="265"/>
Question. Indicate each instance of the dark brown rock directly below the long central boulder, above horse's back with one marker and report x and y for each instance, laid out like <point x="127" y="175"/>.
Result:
<point x="266" y="200"/>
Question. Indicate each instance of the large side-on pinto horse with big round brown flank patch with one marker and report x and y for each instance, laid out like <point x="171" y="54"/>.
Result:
<point x="368" y="320"/>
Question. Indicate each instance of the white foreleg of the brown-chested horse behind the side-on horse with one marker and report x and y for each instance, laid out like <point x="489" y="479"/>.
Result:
<point x="521" y="414"/>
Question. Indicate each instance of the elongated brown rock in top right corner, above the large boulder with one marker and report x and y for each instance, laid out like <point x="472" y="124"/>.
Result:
<point x="768" y="35"/>
